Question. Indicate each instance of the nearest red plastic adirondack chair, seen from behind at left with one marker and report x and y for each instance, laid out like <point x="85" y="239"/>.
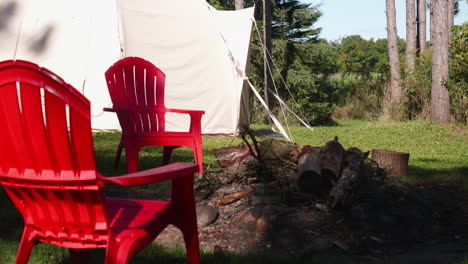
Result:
<point x="47" y="168"/>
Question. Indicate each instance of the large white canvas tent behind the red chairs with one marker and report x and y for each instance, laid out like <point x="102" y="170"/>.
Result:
<point x="202" y="51"/>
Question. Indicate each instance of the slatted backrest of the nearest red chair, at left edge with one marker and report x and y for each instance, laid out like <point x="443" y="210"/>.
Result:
<point x="47" y="162"/>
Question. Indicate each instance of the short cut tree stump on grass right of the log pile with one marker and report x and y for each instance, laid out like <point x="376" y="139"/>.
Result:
<point x="395" y="163"/>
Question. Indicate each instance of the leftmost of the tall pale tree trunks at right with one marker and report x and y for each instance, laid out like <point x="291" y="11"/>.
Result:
<point x="394" y="61"/>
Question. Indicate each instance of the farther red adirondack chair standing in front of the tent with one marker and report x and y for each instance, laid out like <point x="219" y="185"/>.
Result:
<point x="136" y="88"/>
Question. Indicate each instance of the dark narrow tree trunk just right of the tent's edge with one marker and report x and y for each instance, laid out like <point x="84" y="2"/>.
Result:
<point x="267" y="63"/>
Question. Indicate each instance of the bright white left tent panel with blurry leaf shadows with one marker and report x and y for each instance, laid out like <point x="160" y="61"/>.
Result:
<point x="78" y="40"/>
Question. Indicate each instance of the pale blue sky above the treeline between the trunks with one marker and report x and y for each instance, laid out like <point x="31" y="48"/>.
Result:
<point x="366" y="18"/>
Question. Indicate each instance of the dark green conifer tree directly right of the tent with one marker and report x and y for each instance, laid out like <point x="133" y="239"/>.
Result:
<point x="300" y="59"/>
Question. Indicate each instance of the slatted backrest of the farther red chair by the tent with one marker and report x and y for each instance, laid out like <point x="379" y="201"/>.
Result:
<point x="137" y="86"/>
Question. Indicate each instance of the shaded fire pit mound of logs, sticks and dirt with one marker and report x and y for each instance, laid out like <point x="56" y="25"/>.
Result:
<point x="278" y="197"/>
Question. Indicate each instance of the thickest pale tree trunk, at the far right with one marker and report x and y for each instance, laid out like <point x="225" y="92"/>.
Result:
<point x="440" y="102"/>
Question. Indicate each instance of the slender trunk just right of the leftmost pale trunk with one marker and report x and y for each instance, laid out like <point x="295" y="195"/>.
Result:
<point x="410" y="34"/>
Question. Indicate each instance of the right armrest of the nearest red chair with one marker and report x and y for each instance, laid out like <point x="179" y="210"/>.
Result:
<point x="163" y="173"/>
